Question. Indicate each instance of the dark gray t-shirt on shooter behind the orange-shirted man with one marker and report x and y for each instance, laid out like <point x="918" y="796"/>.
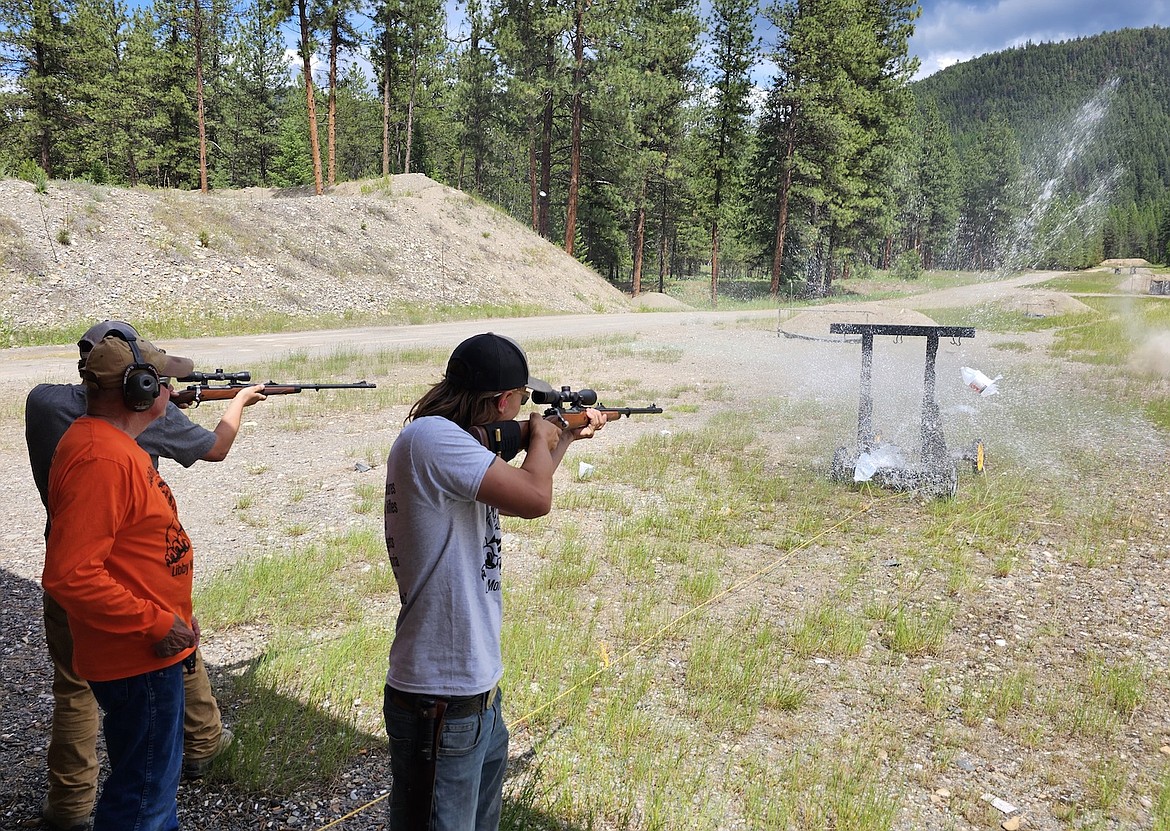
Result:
<point x="52" y="408"/>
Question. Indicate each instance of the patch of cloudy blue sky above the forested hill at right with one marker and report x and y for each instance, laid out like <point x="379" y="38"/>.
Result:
<point x="953" y="31"/>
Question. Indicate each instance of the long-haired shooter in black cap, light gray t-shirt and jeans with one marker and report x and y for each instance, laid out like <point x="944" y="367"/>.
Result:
<point x="445" y="492"/>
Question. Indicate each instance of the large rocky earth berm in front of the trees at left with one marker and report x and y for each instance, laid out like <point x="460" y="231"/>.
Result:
<point x="366" y="251"/>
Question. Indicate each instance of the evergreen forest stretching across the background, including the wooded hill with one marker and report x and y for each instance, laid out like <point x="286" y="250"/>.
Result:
<point x="639" y="136"/>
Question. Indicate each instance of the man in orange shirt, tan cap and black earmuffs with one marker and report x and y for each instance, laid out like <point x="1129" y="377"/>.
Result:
<point x="120" y="564"/>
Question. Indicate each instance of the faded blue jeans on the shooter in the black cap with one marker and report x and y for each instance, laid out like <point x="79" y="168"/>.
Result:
<point x="470" y="770"/>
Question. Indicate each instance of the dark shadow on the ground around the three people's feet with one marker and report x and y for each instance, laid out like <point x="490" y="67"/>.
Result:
<point x="301" y="796"/>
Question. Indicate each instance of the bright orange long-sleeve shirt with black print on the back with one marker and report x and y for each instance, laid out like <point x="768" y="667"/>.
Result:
<point x="119" y="560"/>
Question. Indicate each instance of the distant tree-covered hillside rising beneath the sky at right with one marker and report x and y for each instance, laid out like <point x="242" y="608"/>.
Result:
<point x="1034" y="97"/>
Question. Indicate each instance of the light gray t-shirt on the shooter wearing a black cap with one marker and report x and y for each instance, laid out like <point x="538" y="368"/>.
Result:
<point x="445" y="551"/>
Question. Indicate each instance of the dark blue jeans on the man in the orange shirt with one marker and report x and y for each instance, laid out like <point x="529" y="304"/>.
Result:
<point x="143" y="725"/>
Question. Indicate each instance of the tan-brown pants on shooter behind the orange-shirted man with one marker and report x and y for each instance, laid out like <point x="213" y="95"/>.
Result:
<point x="73" y="744"/>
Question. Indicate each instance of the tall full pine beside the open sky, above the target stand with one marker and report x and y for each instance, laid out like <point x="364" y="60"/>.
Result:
<point x="842" y="102"/>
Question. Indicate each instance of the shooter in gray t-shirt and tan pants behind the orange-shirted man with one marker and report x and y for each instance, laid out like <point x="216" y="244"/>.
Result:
<point x="73" y="744"/>
